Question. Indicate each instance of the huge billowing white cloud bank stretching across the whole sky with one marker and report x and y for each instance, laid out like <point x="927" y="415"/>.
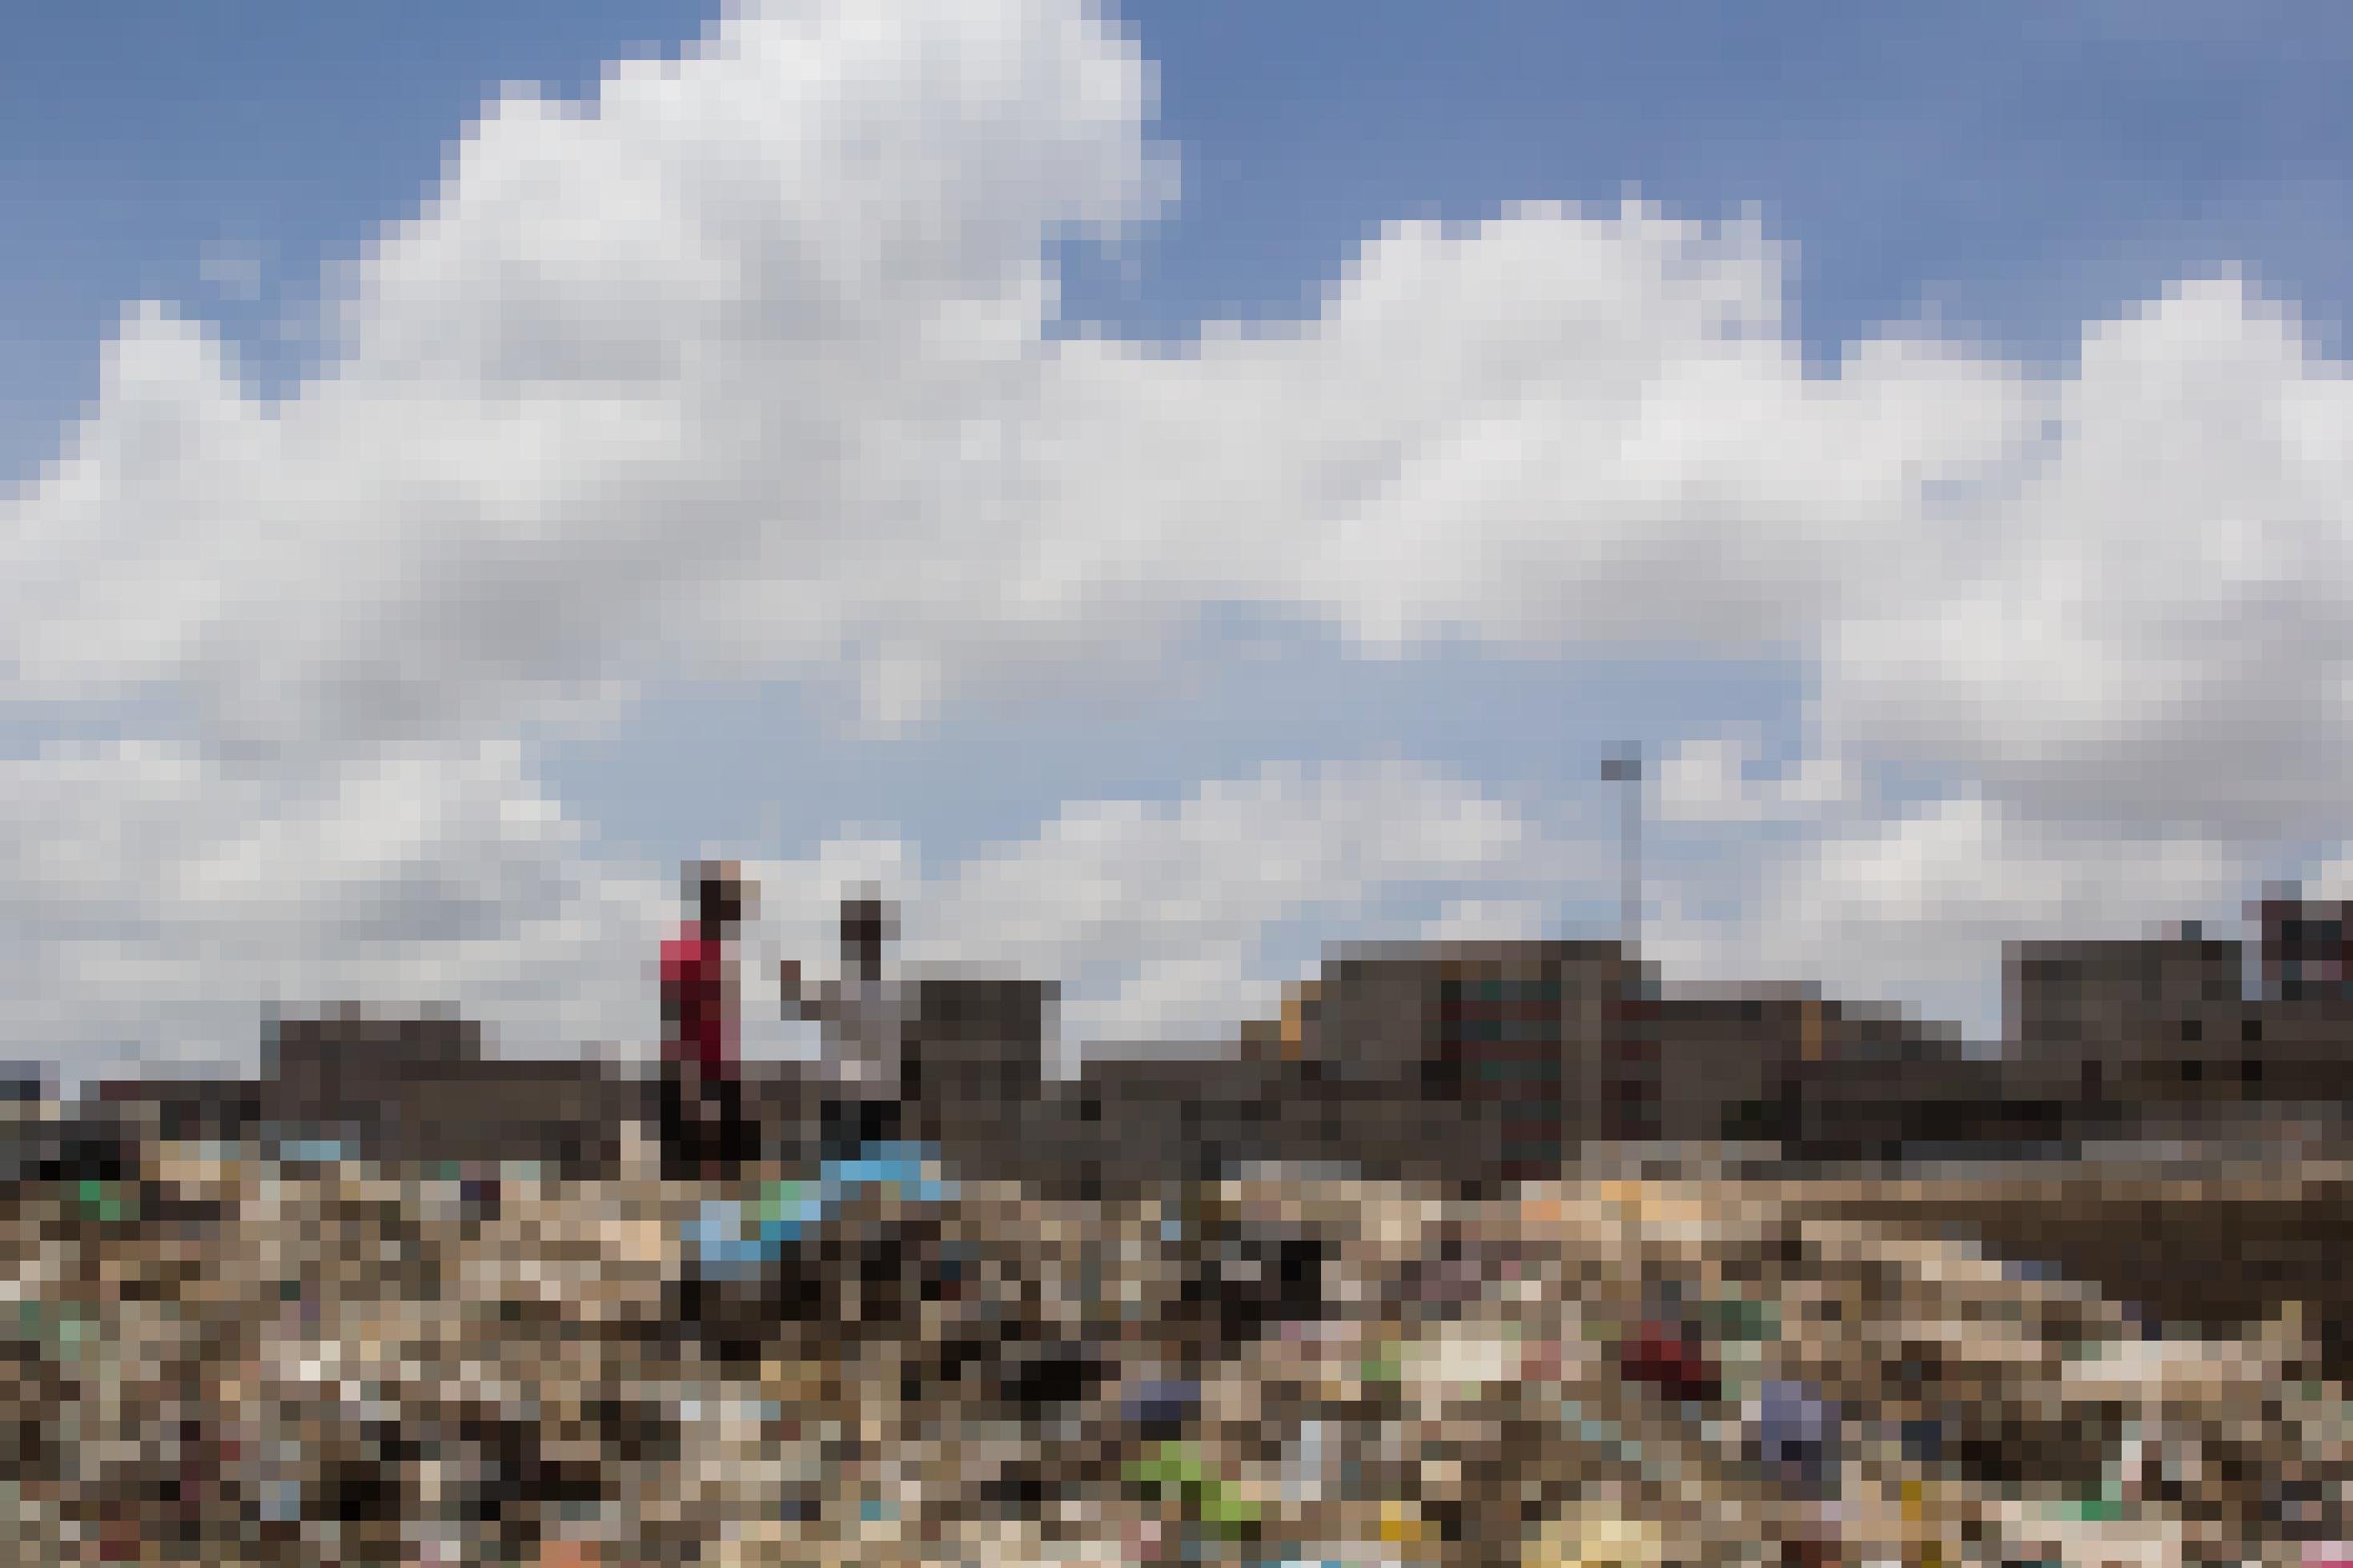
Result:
<point x="742" y="368"/>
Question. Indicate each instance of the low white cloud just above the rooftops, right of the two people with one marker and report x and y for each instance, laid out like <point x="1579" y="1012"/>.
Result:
<point x="1166" y="923"/>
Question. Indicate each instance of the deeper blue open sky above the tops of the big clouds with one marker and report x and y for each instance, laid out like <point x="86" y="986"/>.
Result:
<point x="2020" y="168"/>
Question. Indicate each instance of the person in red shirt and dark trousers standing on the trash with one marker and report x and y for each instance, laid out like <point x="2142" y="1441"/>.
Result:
<point x="705" y="1130"/>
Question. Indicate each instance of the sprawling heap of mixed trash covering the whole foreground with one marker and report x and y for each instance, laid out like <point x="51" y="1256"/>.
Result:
<point x="241" y="1360"/>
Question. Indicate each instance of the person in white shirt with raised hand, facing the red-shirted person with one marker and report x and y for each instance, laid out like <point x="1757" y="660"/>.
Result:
<point x="865" y="1019"/>
